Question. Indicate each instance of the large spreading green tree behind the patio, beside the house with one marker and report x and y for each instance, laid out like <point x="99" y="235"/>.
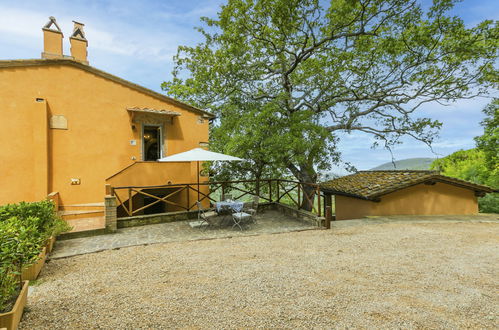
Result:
<point x="310" y="72"/>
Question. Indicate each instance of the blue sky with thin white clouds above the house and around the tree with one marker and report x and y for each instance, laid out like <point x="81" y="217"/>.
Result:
<point x="136" y="40"/>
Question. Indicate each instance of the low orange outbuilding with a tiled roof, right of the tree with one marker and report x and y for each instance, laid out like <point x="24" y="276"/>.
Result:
<point x="381" y="193"/>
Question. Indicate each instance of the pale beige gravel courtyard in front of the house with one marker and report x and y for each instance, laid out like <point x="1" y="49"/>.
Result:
<point x="383" y="275"/>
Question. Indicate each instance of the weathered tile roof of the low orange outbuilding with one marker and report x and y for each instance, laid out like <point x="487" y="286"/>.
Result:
<point x="371" y="185"/>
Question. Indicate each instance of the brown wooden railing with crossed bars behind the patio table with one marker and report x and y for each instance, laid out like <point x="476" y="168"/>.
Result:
<point x="183" y="196"/>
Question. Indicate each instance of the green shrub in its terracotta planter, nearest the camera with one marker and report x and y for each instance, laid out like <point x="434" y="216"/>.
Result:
<point x="20" y="247"/>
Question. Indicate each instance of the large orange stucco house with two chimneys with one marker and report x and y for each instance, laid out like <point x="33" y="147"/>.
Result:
<point x="70" y="128"/>
